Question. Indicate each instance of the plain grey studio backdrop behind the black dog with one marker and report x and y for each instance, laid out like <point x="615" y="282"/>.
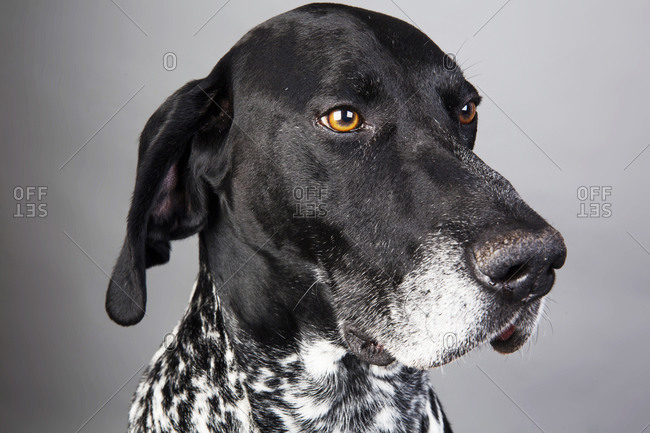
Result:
<point x="565" y="79"/>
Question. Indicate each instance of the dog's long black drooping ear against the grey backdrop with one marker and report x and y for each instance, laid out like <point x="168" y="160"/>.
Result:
<point x="182" y="160"/>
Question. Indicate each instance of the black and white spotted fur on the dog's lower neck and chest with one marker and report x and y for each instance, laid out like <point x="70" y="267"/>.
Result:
<point x="198" y="384"/>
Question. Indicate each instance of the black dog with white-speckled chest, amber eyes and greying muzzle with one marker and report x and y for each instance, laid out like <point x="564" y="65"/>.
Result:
<point x="349" y="237"/>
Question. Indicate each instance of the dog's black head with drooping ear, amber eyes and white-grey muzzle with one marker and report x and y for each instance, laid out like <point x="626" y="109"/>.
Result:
<point x="347" y="137"/>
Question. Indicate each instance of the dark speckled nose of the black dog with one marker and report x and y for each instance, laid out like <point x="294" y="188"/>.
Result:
<point x="519" y="263"/>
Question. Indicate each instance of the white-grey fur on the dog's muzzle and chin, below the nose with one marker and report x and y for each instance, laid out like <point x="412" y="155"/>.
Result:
<point x="441" y="312"/>
